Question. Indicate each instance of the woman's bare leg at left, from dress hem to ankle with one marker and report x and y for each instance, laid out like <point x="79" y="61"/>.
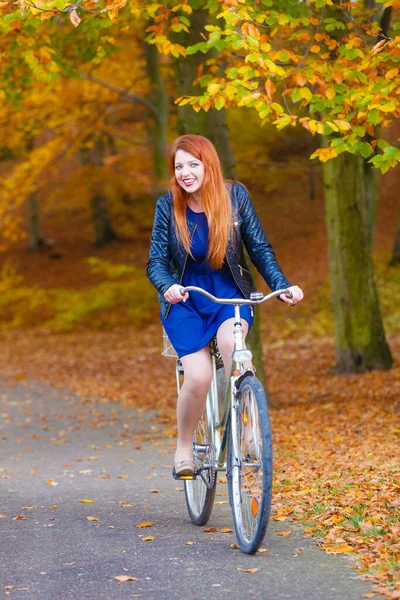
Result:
<point x="192" y="399"/>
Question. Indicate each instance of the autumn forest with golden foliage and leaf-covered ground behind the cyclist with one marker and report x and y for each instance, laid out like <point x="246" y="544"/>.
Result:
<point x="302" y="103"/>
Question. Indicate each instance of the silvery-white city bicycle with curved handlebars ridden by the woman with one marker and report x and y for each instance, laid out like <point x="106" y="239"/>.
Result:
<point x="238" y="440"/>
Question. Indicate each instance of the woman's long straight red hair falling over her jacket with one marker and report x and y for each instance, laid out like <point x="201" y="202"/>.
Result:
<point x="214" y="197"/>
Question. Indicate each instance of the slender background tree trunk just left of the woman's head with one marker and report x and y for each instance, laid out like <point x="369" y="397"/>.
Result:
<point x="159" y="128"/>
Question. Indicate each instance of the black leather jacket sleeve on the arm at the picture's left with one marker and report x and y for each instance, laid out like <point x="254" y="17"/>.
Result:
<point x="158" y="265"/>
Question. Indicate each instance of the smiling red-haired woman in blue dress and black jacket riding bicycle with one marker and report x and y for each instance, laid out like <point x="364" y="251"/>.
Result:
<point x="199" y="230"/>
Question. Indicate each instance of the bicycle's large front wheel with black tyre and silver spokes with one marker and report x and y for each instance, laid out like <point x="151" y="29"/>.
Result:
<point x="250" y="465"/>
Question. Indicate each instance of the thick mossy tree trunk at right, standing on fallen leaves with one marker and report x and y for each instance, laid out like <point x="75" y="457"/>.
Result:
<point x="359" y="335"/>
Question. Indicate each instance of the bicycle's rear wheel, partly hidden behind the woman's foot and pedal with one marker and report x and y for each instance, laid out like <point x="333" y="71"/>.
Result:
<point x="200" y="491"/>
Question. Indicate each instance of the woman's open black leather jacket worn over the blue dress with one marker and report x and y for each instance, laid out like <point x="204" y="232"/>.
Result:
<point x="167" y="259"/>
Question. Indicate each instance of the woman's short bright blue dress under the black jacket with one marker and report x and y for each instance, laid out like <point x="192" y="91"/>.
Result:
<point x="191" y="325"/>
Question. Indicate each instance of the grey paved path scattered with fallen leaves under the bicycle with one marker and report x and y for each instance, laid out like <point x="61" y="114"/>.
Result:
<point x="56" y="450"/>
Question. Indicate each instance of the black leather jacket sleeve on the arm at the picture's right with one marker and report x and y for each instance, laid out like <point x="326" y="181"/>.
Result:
<point x="261" y="253"/>
